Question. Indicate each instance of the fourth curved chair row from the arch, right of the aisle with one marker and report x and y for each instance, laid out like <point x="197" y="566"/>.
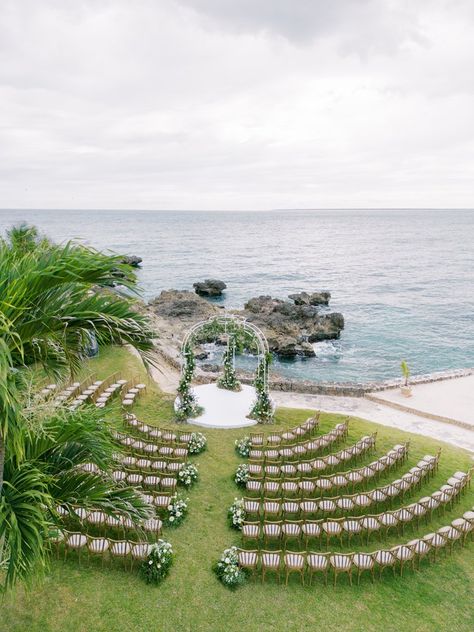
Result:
<point x="309" y="486"/>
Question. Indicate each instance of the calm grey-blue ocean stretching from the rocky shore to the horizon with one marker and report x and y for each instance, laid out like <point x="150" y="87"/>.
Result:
<point x="404" y="280"/>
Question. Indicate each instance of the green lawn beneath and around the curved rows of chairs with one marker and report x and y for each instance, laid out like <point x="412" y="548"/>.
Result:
<point x="78" y="599"/>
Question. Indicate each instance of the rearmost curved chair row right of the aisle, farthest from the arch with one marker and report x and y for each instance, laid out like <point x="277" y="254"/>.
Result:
<point x="307" y="563"/>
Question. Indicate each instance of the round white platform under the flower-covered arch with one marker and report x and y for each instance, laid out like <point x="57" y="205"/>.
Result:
<point x="224" y="409"/>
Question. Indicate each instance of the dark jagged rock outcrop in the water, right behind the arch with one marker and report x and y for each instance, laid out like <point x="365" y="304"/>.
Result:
<point x="291" y="328"/>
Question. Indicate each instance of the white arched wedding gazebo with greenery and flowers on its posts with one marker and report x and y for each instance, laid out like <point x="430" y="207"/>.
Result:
<point x="241" y="335"/>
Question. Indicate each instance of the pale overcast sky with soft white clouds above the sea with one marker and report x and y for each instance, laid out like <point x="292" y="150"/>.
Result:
<point x="236" y="104"/>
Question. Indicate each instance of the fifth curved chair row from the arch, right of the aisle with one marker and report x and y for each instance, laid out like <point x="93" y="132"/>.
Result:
<point x="352" y="503"/>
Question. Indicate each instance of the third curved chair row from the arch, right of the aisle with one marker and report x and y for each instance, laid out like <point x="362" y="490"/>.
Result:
<point x="320" y="464"/>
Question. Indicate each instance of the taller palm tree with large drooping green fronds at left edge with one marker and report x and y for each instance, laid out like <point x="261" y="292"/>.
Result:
<point x="52" y="297"/>
